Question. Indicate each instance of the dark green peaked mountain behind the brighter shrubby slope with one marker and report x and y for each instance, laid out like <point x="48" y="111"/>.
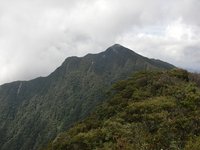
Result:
<point x="34" y="112"/>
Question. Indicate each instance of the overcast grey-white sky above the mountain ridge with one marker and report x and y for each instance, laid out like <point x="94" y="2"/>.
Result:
<point x="37" y="35"/>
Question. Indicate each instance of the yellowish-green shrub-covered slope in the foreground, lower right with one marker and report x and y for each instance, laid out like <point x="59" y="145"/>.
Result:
<point x="148" y="111"/>
